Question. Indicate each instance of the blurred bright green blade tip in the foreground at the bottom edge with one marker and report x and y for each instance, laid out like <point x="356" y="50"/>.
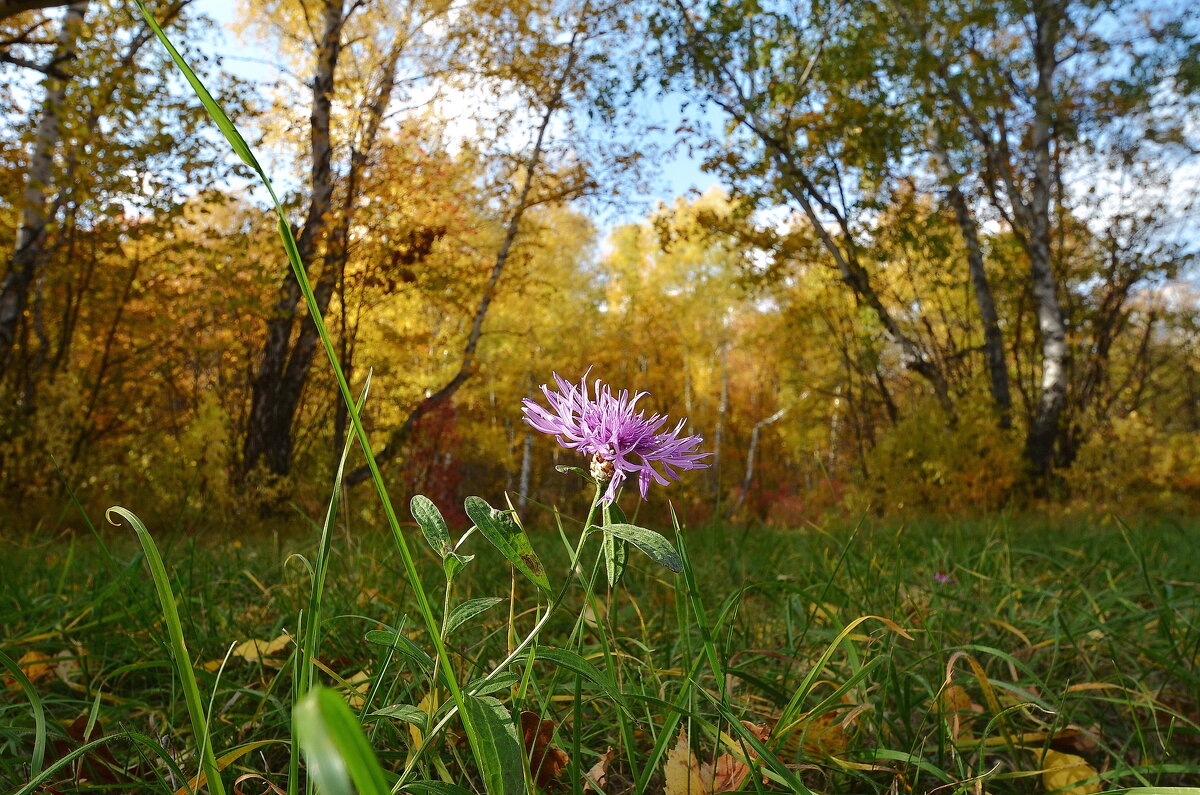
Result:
<point x="340" y="760"/>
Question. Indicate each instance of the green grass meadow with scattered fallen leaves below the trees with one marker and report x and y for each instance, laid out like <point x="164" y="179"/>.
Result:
<point x="1043" y="626"/>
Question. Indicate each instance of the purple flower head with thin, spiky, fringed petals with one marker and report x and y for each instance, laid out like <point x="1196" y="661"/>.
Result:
<point x="621" y="440"/>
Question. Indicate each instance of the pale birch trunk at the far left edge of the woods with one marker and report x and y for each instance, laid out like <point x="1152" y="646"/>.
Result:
<point x="29" y="255"/>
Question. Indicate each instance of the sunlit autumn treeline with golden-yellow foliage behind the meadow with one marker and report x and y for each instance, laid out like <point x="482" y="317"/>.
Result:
<point x="952" y="267"/>
